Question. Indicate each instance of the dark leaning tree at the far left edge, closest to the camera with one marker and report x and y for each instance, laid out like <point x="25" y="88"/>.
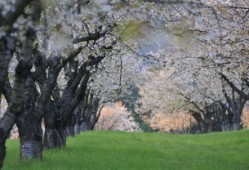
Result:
<point x="8" y="45"/>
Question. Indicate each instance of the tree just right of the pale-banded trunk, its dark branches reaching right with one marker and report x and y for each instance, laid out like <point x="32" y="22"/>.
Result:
<point x="77" y="64"/>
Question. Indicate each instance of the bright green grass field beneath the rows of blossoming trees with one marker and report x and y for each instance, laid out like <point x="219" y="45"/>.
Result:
<point x="141" y="151"/>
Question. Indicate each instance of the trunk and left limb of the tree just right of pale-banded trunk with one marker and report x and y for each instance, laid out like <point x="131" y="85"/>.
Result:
<point x="55" y="132"/>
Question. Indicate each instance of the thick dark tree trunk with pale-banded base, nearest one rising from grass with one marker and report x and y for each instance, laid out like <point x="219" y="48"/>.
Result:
<point x="29" y="124"/>
